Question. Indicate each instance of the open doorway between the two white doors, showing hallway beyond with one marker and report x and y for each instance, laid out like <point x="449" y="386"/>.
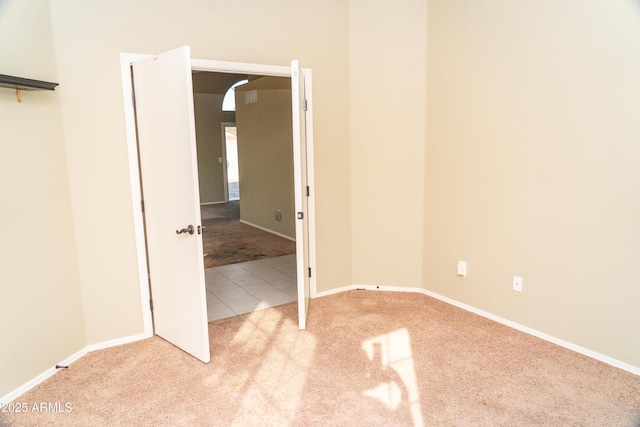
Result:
<point x="249" y="231"/>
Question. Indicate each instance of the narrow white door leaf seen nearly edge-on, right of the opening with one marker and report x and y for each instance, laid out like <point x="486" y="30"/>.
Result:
<point x="298" y="115"/>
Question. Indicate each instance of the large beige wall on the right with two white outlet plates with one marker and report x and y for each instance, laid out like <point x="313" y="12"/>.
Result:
<point x="531" y="165"/>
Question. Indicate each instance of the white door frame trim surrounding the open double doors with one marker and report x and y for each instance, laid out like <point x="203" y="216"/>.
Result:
<point x="126" y="59"/>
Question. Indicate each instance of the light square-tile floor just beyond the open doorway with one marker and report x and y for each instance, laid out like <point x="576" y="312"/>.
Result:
<point x="248" y="286"/>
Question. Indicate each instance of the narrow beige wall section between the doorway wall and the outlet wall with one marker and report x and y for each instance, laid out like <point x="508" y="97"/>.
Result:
<point x="387" y="93"/>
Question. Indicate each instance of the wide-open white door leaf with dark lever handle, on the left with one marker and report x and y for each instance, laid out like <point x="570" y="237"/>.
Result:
<point x="168" y="168"/>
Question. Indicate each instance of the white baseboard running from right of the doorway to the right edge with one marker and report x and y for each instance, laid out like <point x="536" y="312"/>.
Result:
<point x="527" y="330"/>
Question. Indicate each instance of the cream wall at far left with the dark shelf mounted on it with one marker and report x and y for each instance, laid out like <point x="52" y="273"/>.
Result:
<point x="40" y="308"/>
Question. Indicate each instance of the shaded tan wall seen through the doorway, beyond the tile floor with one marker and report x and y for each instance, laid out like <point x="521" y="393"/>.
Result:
<point x="265" y="154"/>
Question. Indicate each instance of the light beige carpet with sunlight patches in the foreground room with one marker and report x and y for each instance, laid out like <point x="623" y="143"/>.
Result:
<point x="366" y="359"/>
